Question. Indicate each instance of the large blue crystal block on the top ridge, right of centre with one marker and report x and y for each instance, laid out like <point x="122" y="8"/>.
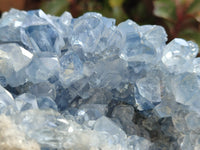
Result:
<point x="139" y="42"/>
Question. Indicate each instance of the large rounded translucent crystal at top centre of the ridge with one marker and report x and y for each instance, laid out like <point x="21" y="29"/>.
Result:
<point x="87" y="30"/>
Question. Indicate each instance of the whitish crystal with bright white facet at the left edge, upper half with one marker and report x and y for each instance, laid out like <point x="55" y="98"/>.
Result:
<point x="14" y="59"/>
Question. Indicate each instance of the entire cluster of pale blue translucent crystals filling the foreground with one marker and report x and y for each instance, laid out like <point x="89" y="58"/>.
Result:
<point x="88" y="84"/>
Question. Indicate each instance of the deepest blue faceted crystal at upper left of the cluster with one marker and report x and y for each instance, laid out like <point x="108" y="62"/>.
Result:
<point x="44" y="39"/>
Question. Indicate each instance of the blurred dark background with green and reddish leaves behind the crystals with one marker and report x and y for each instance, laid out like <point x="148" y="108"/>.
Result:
<point x="180" y="18"/>
